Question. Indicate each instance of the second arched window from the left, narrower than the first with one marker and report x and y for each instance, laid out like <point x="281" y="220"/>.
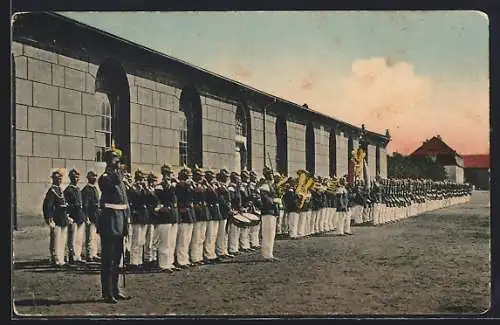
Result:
<point x="190" y="130"/>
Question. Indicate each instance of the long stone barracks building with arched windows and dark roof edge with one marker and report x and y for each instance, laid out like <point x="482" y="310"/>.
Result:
<point x="77" y="88"/>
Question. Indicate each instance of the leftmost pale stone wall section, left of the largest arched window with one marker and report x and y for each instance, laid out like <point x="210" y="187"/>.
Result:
<point x="55" y="121"/>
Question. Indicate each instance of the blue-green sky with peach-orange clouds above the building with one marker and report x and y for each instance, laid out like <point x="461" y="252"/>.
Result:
<point x="418" y="74"/>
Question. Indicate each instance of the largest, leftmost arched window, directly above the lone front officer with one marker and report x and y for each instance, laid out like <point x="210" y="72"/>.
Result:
<point x="113" y="94"/>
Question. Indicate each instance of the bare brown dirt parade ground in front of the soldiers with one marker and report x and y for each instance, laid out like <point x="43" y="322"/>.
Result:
<point x="435" y="263"/>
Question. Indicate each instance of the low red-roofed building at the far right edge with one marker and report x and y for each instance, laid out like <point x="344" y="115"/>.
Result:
<point x="477" y="171"/>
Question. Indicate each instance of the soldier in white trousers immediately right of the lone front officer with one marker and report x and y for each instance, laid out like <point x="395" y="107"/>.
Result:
<point x="140" y="218"/>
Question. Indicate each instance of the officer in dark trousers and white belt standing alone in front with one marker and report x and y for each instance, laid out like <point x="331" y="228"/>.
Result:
<point x="112" y="225"/>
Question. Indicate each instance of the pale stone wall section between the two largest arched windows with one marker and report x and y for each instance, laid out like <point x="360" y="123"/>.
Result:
<point x="154" y="123"/>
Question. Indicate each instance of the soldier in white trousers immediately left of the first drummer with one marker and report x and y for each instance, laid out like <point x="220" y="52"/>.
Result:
<point x="224" y="196"/>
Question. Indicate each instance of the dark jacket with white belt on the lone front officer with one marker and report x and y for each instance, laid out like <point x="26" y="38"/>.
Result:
<point x="113" y="222"/>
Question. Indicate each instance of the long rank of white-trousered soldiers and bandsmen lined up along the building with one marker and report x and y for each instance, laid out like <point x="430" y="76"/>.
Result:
<point x="205" y="216"/>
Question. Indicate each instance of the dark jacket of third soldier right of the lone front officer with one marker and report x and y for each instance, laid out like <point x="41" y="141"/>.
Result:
<point x="166" y="197"/>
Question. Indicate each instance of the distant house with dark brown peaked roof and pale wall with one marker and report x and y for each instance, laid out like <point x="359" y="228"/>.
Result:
<point x="440" y="152"/>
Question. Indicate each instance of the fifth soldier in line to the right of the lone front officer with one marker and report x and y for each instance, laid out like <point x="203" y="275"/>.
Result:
<point x="201" y="216"/>
